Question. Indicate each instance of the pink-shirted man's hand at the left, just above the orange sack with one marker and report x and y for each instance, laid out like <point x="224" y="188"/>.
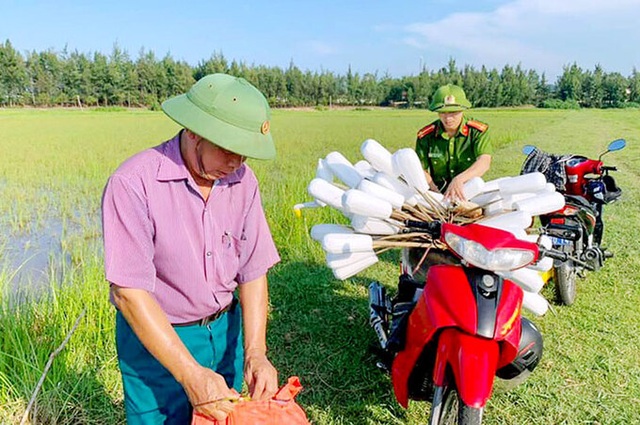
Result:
<point x="209" y="394"/>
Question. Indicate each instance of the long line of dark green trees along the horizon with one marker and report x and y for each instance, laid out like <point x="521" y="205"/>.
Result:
<point x="71" y="78"/>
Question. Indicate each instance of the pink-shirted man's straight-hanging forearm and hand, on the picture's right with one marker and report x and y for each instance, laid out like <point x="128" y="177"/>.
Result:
<point x="259" y="373"/>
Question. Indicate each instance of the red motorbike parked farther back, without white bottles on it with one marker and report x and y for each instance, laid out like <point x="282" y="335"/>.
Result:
<point x="576" y="229"/>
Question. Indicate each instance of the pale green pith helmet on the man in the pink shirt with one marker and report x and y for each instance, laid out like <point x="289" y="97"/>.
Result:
<point x="227" y="111"/>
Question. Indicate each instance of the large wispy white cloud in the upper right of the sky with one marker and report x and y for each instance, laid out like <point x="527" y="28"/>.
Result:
<point x="540" y="34"/>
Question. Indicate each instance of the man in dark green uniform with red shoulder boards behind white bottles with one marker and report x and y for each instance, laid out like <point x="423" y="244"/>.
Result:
<point x="454" y="148"/>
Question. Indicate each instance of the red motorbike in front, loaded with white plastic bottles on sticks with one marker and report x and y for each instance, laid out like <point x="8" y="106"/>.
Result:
<point x="445" y="338"/>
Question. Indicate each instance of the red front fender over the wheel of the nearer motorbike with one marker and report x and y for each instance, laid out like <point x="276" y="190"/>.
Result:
<point x="473" y="361"/>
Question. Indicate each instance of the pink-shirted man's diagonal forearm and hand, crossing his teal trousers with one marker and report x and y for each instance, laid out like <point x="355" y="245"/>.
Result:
<point x="152" y="327"/>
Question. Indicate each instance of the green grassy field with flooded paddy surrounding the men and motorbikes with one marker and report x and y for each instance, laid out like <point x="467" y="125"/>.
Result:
<point x="54" y="165"/>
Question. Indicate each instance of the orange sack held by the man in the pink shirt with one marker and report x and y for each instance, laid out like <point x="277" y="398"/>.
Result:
<point x="281" y="409"/>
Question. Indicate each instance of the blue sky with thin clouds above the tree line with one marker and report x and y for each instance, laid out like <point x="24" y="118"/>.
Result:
<point x="376" y="36"/>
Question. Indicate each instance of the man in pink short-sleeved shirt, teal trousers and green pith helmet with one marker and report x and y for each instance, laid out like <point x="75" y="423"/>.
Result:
<point x="183" y="228"/>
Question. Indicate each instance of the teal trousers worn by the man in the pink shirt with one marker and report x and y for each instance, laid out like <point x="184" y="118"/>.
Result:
<point x="151" y="393"/>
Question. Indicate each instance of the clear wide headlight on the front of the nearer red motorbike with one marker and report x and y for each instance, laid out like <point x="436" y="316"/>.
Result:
<point x="498" y="259"/>
